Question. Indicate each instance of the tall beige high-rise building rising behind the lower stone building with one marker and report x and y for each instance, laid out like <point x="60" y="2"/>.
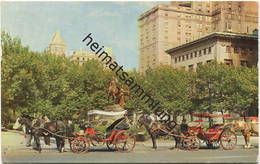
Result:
<point x="170" y="25"/>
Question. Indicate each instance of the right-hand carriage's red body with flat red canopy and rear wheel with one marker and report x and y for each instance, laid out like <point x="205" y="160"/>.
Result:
<point x="218" y="134"/>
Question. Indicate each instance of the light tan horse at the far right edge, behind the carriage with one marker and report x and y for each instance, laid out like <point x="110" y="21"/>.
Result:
<point x="247" y="129"/>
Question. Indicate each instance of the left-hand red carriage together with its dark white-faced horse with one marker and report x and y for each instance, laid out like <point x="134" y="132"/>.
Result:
<point x="117" y="136"/>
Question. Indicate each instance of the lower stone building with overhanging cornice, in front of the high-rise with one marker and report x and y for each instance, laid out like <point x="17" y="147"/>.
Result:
<point x="224" y="47"/>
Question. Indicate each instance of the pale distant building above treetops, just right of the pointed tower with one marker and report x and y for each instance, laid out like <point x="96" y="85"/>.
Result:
<point x="81" y="56"/>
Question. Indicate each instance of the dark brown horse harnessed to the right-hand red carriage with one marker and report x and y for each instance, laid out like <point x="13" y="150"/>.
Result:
<point x="156" y="129"/>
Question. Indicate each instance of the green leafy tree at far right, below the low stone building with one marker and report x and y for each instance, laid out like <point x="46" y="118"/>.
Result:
<point x="220" y="88"/>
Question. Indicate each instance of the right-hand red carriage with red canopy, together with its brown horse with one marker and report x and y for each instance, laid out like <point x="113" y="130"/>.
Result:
<point x="189" y="137"/>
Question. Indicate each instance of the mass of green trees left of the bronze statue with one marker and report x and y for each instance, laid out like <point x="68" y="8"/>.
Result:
<point x="40" y="83"/>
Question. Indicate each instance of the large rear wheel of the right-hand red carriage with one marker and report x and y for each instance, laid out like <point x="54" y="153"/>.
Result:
<point x="228" y="140"/>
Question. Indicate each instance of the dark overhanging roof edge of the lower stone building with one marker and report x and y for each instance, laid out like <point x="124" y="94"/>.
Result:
<point x="214" y="35"/>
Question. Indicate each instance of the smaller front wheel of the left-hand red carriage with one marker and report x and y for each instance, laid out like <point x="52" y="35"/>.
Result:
<point x="79" y="144"/>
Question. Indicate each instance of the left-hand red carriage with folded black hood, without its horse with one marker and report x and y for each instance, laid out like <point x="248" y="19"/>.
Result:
<point x="116" y="137"/>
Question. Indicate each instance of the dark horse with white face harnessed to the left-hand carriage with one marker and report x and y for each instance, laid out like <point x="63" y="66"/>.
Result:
<point x="38" y="128"/>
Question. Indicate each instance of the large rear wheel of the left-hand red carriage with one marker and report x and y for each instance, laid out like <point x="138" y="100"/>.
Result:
<point x="124" y="141"/>
